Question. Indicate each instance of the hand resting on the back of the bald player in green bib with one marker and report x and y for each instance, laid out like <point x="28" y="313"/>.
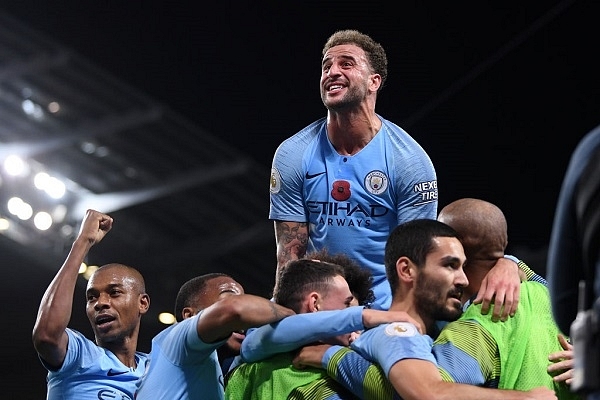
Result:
<point x="501" y="287"/>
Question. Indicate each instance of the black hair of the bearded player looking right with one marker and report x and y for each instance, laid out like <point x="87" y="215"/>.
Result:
<point x="412" y="239"/>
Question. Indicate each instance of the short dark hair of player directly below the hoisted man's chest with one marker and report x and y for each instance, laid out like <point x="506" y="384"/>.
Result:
<point x="301" y="276"/>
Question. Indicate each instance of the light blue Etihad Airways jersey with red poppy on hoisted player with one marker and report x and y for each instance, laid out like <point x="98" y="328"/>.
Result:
<point x="352" y="203"/>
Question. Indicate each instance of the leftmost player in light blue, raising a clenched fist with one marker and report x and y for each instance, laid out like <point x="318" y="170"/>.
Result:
<point x="116" y="301"/>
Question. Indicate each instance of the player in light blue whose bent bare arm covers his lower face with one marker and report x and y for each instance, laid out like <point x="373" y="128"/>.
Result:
<point x="210" y="310"/>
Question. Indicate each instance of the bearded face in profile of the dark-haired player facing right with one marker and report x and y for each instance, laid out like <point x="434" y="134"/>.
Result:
<point x="440" y="283"/>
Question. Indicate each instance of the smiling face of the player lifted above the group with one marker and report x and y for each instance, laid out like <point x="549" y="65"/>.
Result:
<point x="347" y="78"/>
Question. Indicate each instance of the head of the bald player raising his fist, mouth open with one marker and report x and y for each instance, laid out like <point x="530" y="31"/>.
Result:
<point x="116" y="300"/>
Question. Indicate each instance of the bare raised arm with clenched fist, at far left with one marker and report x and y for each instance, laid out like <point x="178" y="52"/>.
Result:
<point x="49" y="337"/>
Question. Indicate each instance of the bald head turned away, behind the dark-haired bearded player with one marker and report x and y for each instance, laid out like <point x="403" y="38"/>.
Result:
<point x="481" y="227"/>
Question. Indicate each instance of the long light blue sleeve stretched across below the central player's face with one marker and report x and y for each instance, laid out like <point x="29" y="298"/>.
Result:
<point x="297" y="330"/>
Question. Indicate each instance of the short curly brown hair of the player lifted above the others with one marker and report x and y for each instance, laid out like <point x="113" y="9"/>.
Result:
<point x="373" y="50"/>
